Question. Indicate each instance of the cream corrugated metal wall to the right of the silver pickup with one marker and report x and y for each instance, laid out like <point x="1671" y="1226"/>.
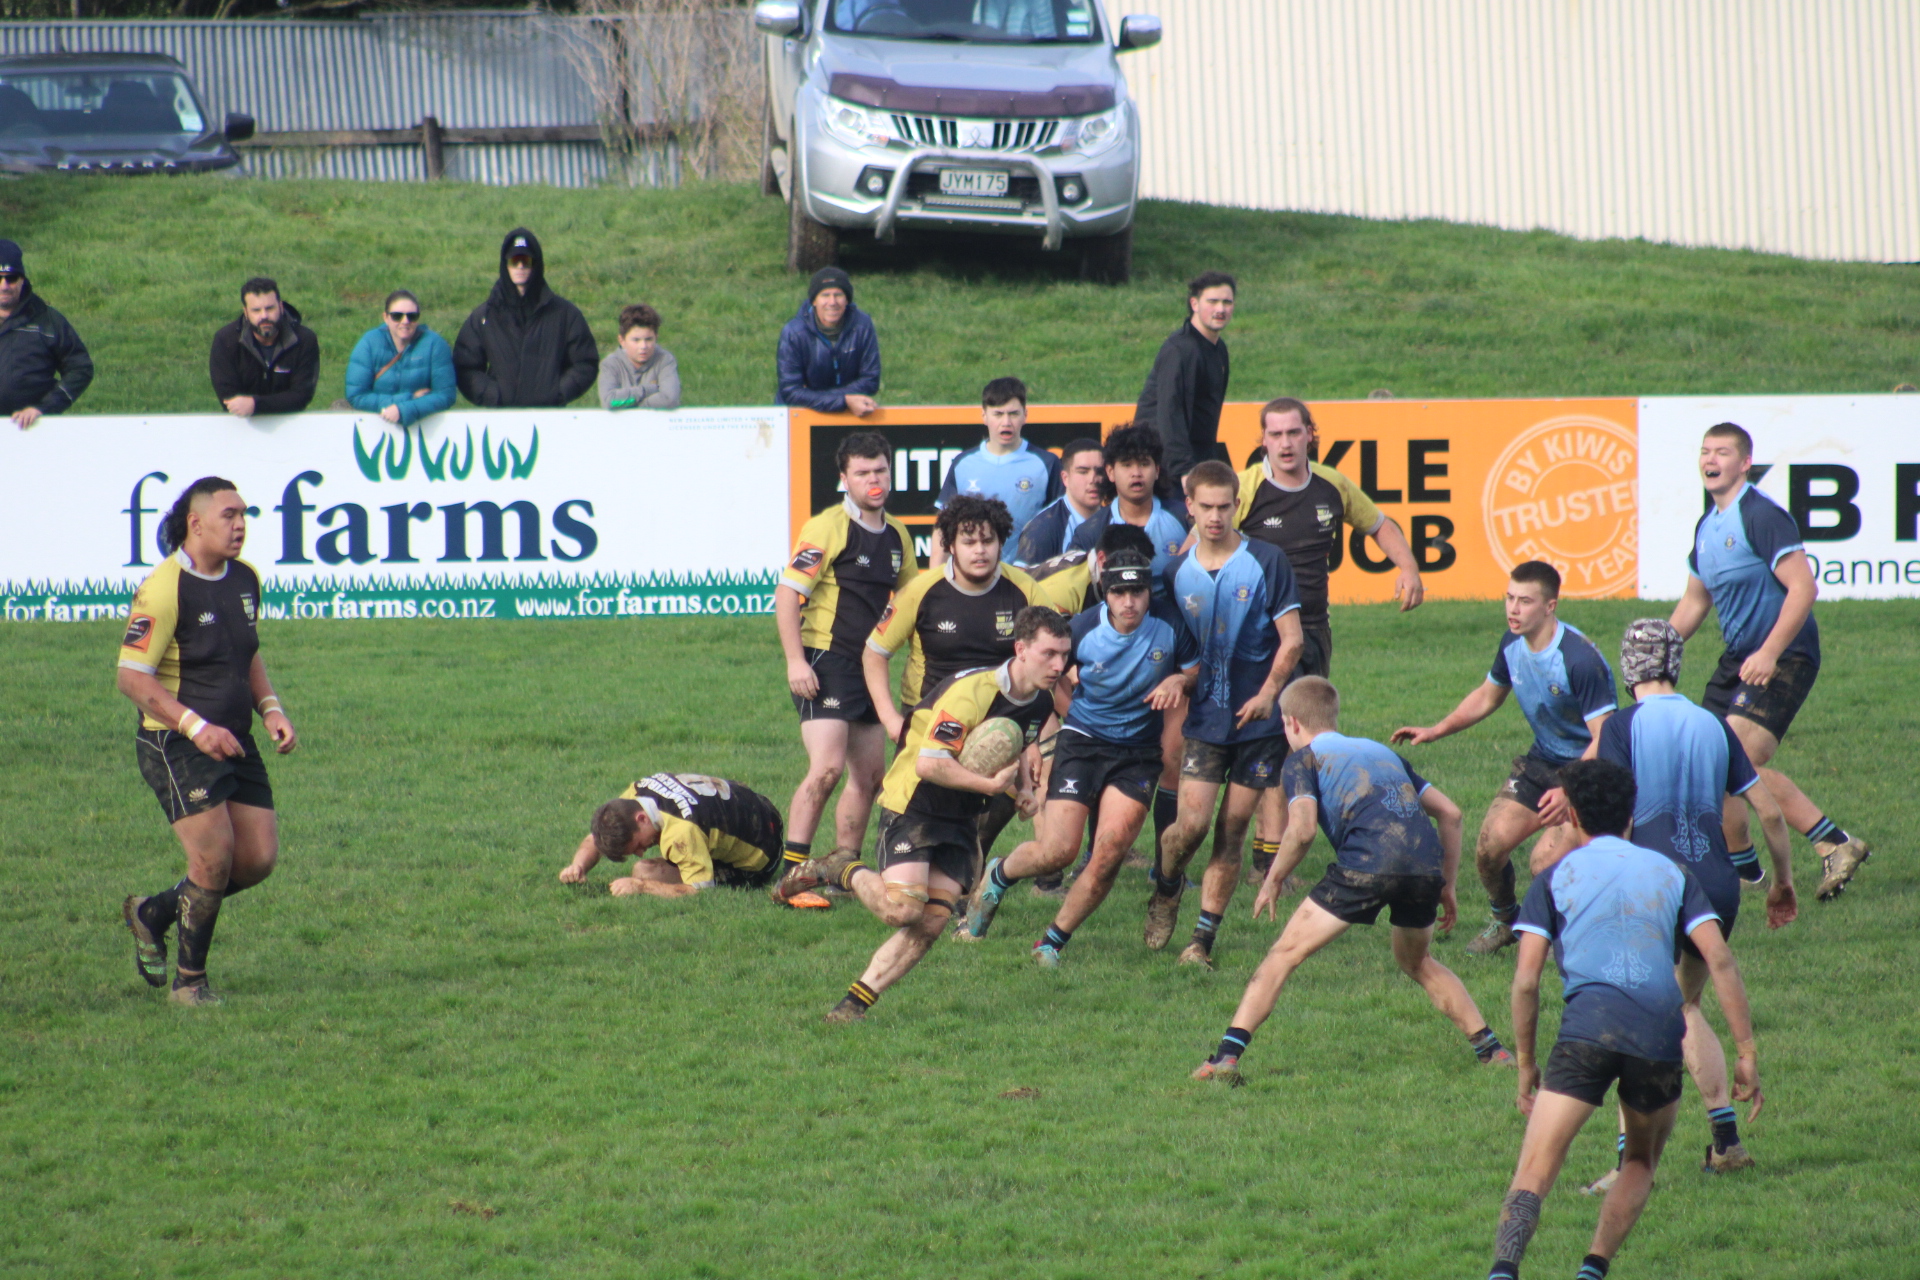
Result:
<point x="1787" y="126"/>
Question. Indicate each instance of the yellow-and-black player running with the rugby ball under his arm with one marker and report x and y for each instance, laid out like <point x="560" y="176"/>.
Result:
<point x="932" y="805"/>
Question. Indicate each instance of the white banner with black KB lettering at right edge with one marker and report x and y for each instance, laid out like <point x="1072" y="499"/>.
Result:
<point x="1848" y="467"/>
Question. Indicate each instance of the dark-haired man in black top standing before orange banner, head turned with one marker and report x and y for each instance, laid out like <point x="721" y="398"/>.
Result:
<point x="1188" y="385"/>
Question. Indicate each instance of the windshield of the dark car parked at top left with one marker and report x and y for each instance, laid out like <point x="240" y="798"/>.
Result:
<point x="99" y="103"/>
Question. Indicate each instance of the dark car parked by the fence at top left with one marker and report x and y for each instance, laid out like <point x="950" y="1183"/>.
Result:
<point x="108" y="114"/>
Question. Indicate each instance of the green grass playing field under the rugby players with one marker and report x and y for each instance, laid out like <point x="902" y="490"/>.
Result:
<point x="439" y="1062"/>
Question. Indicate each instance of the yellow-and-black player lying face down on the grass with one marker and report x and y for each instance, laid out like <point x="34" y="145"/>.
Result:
<point x="708" y="832"/>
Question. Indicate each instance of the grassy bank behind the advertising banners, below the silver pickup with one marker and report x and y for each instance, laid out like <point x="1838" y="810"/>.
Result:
<point x="1330" y="306"/>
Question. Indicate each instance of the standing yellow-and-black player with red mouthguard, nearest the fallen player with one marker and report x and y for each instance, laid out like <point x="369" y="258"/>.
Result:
<point x="846" y="567"/>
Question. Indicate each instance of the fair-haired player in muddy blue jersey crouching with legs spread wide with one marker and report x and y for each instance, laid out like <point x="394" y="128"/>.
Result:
<point x="1374" y="809"/>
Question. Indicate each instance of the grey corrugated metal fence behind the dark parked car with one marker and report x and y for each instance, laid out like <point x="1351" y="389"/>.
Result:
<point x="466" y="70"/>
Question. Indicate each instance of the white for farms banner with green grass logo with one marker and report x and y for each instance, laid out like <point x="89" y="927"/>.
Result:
<point x="466" y="515"/>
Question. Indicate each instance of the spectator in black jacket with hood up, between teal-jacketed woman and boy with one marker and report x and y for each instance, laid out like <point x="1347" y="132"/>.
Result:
<point x="525" y="346"/>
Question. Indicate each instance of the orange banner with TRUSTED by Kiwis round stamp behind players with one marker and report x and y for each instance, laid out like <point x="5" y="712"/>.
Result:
<point x="1477" y="486"/>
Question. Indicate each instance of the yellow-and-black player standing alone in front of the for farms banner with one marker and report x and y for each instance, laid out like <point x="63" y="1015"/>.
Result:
<point x="191" y="663"/>
